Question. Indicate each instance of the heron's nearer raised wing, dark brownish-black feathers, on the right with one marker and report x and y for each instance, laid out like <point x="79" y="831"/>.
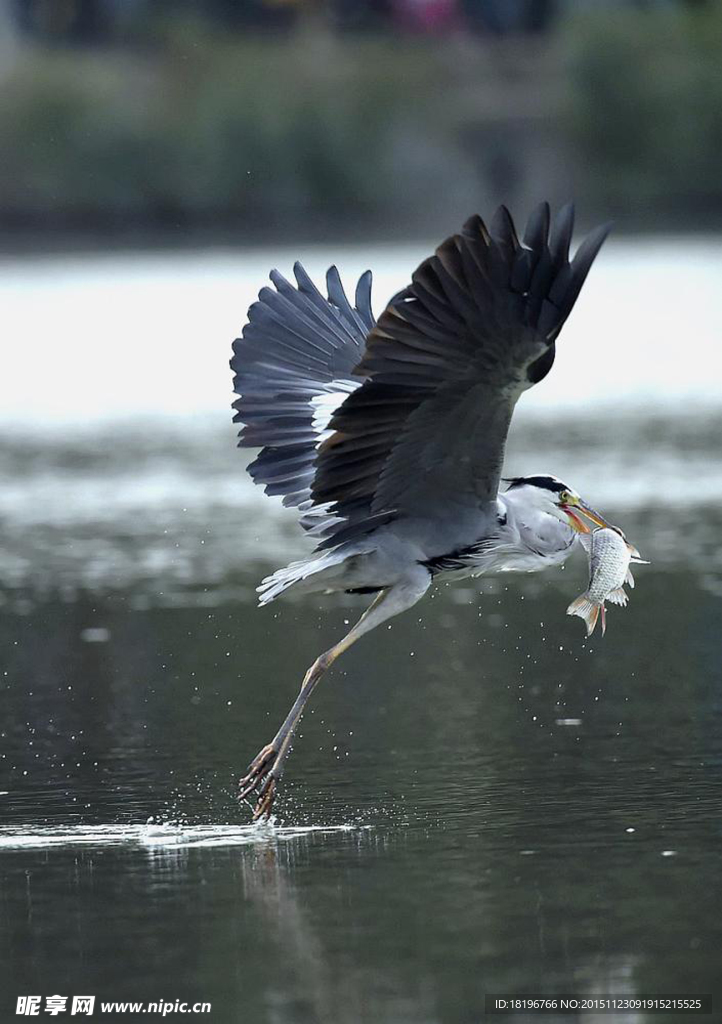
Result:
<point x="424" y="436"/>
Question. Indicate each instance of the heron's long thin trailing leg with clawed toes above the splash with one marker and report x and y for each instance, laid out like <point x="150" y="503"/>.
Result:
<point x="268" y="767"/>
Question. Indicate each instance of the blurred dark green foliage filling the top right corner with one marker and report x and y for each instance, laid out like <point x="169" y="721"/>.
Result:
<point x="646" y="111"/>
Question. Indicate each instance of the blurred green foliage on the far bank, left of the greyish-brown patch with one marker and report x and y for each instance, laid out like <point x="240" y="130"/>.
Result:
<point x="252" y="132"/>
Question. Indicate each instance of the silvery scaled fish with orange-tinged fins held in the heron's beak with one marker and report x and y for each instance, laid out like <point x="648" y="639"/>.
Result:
<point x="610" y="558"/>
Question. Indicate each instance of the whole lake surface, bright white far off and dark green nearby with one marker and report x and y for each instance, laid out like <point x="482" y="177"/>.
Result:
<point x="481" y="801"/>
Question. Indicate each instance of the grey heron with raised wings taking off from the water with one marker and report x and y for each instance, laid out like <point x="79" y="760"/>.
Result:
<point x="389" y="436"/>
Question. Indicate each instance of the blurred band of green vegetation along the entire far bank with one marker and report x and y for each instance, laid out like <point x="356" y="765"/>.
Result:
<point x="315" y="135"/>
